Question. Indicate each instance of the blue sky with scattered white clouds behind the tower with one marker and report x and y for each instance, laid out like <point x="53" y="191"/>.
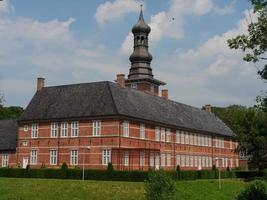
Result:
<point x="68" y="42"/>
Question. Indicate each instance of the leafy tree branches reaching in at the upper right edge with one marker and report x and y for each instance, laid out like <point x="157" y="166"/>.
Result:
<point x="254" y="43"/>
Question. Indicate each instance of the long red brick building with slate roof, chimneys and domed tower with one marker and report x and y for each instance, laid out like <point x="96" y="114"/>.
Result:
<point x="127" y="123"/>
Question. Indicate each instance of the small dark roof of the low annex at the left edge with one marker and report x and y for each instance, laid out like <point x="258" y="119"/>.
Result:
<point x="8" y="135"/>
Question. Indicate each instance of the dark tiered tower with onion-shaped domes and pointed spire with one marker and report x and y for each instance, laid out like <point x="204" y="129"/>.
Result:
<point x="140" y="74"/>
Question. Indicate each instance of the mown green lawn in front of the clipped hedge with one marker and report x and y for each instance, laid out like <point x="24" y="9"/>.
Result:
<point x="44" y="189"/>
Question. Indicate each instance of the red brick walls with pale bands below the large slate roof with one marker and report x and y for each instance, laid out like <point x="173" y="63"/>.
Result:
<point x="154" y="154"/>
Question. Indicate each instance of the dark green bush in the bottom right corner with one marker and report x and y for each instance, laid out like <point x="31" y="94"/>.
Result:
<point x="254" y="191"/>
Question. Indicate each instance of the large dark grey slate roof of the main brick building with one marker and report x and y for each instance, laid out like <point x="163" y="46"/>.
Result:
<point x="109" y="99"/>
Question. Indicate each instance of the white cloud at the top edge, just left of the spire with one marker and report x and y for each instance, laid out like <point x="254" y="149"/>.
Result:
<point x="110" y="11"/>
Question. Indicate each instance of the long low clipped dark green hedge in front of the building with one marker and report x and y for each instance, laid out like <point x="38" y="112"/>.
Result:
<point x="135" y="176"/>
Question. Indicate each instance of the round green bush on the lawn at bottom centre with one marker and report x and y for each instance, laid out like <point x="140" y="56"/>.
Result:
<point x="159" y="186"/>
